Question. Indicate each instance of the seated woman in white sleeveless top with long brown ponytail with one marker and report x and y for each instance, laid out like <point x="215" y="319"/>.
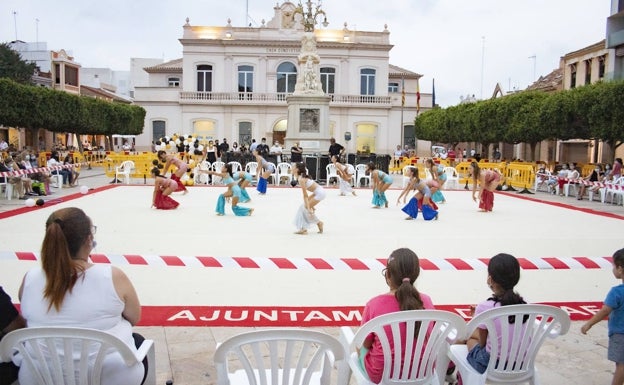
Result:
<point x="69" y="291"/>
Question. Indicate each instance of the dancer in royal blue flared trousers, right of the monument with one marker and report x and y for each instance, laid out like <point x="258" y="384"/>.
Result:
<point x="421" y="199"/>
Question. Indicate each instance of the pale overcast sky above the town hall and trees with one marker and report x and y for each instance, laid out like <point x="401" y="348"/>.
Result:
<point x="453" y="41"/>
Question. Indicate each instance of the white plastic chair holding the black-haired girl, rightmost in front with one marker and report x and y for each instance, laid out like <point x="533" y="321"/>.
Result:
<point x="514" y="360"/>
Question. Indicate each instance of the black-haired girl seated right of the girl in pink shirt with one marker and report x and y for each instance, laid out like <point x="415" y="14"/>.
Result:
<point x="503" y="276"/>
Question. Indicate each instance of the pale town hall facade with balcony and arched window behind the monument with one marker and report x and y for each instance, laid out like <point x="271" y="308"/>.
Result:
<point x="234" y="82"/>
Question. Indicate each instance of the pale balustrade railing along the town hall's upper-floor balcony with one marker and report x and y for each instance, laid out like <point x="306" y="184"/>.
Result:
<point x="277" y="98"/>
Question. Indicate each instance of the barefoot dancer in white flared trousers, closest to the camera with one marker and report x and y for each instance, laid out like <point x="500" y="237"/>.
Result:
<point x="305" y="215"/>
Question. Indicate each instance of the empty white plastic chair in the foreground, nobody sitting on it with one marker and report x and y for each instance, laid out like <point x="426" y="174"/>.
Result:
<point x="279" y="357"/>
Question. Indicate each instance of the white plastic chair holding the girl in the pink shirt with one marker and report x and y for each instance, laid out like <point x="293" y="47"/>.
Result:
<point x="421" y="339"/>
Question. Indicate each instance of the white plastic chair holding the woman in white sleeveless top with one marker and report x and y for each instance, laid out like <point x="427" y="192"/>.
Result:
<point x="70" y="356"/>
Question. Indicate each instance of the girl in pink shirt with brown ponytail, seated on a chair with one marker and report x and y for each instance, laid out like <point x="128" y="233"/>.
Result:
<point x="401" y="272"/>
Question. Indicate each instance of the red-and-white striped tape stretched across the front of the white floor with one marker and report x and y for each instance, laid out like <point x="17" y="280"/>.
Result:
<point x="287" y="263"/>
